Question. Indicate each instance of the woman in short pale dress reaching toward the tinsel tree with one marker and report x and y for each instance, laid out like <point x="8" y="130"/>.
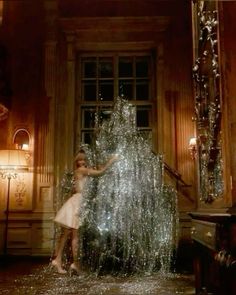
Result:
<point x="69" y="214"/>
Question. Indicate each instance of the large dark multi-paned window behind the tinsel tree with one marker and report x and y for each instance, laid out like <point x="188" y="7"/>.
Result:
<point x="102" y="78"/>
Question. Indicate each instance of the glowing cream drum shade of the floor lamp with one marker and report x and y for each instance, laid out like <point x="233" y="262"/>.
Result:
<point x="13" y="160"/>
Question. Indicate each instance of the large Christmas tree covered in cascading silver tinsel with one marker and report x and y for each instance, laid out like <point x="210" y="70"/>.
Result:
<point x="131" y="217"/>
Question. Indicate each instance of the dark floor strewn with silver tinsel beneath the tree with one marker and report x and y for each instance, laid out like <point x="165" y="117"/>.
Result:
<point x="33" y="276"/>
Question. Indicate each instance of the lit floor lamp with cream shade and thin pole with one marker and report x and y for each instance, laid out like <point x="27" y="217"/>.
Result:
<point x="12" y="162"/>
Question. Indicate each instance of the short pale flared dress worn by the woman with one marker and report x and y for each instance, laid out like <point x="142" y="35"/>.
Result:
<point x="70" y="215"/>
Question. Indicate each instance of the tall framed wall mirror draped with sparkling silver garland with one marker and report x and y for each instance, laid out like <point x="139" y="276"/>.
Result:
<point x="208" y="101"/>
